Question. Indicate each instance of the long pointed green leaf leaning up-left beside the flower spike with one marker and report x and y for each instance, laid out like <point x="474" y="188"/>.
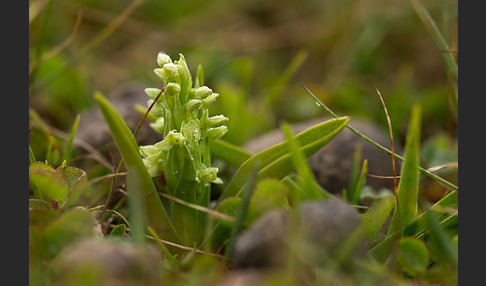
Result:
<point x="143" y="195"/>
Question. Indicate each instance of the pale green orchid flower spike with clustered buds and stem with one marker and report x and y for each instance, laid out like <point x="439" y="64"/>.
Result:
<point x="183" y="156"/>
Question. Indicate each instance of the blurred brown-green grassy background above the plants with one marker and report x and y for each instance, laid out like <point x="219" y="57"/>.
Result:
<point x="255" y="54"/>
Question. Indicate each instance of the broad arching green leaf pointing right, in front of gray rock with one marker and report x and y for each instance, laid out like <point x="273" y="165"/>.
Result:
<point x="276" y="161"/>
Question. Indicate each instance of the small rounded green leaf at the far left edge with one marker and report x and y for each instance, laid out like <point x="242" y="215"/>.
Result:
<point x="50" y="182"/>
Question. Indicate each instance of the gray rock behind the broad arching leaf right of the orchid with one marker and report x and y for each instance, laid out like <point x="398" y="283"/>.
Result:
<point x="332" y="164"/>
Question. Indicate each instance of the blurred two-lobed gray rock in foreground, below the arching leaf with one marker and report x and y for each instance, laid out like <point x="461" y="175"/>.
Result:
<point x="320" y="229"/>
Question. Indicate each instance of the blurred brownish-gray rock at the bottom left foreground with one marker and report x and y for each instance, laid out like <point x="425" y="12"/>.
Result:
<point x="108" y="262"/>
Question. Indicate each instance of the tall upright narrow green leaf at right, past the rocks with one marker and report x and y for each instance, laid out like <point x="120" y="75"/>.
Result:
<point x="407" y="201"/>
